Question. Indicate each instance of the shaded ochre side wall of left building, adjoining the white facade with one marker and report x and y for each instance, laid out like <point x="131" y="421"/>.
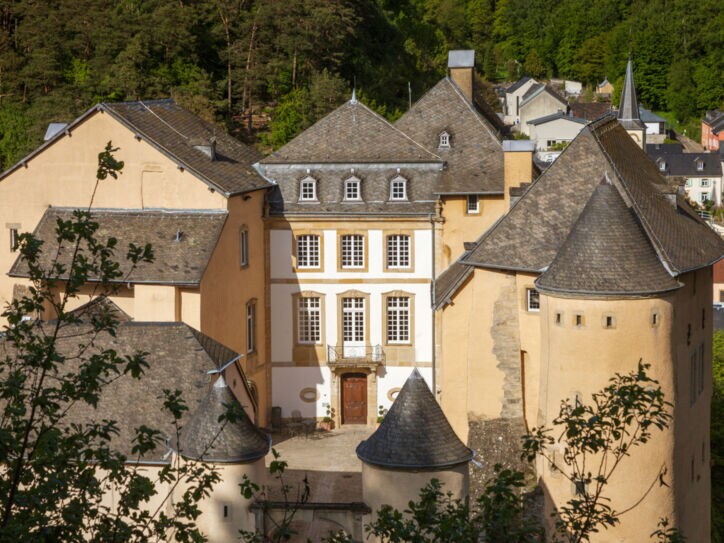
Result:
<point x="227" y="288"/>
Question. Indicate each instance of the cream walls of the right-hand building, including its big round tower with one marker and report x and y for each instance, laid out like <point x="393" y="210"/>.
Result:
<point x="499" y="358"/>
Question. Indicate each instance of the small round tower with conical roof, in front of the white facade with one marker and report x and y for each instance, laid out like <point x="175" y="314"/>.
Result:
<point x="414" y="444"/>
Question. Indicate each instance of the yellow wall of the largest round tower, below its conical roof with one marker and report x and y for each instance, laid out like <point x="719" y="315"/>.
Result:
<point x="581" y="360"/>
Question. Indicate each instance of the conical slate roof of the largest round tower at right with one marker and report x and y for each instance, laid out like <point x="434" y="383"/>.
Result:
<point x="606" y="253"/>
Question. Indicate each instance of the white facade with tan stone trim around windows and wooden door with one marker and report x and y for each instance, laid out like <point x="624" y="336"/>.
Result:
<point x="308" y="377"/>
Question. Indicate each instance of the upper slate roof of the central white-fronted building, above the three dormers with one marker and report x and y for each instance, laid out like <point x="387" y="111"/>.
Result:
<point x="351" y="134"/>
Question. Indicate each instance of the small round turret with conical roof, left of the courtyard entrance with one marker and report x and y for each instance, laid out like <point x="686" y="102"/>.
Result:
<point x="235" y="449"/>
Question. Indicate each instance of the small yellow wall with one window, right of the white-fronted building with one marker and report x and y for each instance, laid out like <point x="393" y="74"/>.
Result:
<point x="461" y="226"/>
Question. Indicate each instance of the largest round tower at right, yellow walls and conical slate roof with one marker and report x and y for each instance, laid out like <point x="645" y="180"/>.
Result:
<point x="608" y="301"/>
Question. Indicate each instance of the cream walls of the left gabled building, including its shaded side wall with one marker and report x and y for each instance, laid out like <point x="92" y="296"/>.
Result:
<point x="63" y="174"/>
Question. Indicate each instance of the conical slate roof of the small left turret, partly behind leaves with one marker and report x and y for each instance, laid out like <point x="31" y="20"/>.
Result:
<point x="205" y="438"/>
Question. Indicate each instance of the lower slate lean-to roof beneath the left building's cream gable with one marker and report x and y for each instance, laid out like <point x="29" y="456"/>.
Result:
<point x="176" y="262"/>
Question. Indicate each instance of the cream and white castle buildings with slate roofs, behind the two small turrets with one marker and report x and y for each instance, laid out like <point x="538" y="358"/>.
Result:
<point x="364" y="249"/>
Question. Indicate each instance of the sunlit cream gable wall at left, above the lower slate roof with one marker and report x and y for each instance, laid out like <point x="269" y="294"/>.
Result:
<point x="64" y="175"/>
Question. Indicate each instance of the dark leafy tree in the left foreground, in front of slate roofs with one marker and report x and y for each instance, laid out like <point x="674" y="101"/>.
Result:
<point x="56" y="470"/>
